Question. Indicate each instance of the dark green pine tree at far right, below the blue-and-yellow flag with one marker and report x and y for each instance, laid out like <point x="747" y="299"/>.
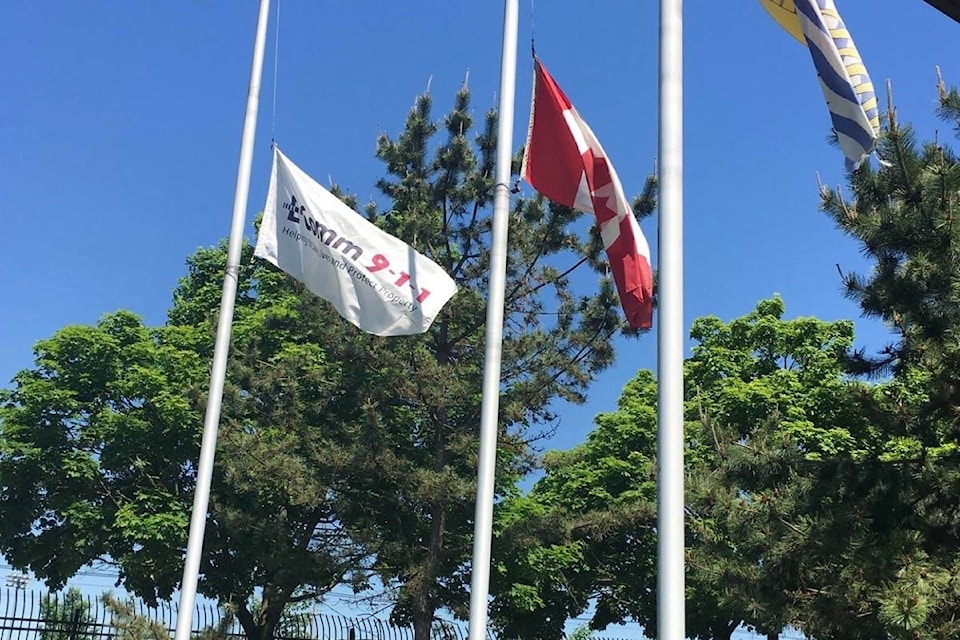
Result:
<point x="849" y="506"/>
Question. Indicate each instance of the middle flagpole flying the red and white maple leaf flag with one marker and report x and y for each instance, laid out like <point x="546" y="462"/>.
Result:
<point x="489" y="411"/>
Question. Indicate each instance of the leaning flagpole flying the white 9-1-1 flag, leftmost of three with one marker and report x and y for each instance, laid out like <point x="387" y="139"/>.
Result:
<point x="191" y="568"/>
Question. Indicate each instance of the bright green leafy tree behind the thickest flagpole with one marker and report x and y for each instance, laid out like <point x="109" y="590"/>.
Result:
<point x="755" y="380"/>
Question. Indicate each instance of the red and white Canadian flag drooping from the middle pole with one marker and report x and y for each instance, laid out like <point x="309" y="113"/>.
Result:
<point x="563" y="160"/>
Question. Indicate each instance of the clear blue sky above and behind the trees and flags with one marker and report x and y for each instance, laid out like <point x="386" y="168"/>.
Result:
<point x="120" y="129"/>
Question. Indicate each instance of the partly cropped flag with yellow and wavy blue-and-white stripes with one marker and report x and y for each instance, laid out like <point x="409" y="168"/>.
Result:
<point x="843" y="78"/>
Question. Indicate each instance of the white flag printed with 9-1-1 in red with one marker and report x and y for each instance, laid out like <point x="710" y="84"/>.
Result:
<point x="376" y="281"/>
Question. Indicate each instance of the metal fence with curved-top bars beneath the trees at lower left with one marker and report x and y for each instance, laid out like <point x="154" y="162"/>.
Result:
<point x="34" y="615"/>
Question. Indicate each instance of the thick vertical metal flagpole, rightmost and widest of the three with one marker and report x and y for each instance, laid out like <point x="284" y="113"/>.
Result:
<point x="670" y="511"/>
